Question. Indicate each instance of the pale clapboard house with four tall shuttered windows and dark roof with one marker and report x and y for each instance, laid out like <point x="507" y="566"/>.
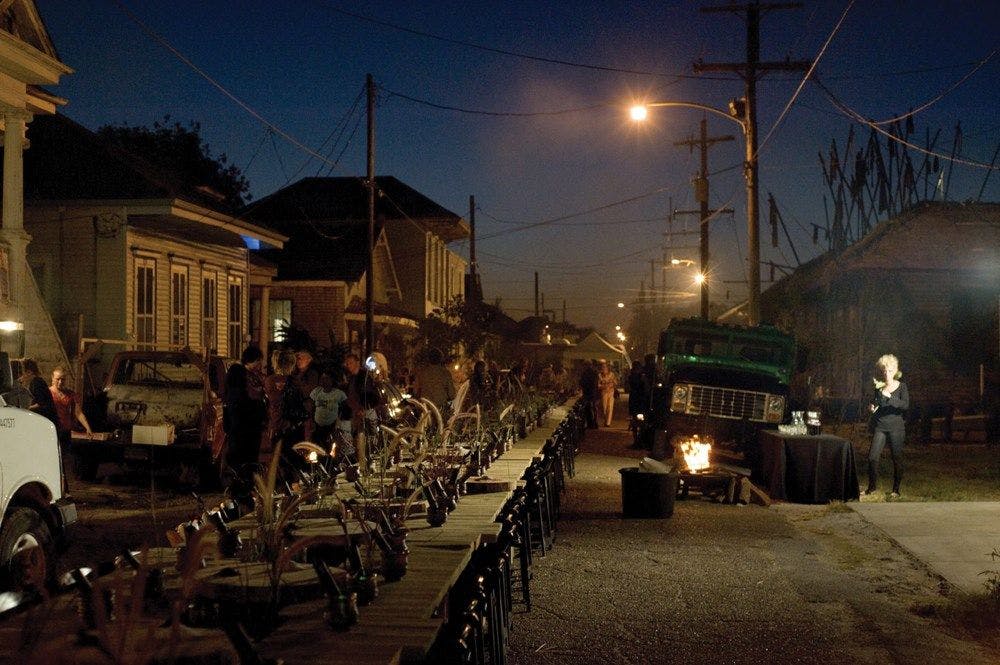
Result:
<point x="122" y="252"/>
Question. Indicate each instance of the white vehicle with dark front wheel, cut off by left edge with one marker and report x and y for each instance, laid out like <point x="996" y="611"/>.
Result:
<point x="34" y="514"/>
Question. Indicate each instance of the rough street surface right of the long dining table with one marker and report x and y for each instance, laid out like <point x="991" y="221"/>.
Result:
<point x="723" y="584"/>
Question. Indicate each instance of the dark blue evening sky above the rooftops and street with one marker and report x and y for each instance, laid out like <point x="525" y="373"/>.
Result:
<point x="302" y="66"/>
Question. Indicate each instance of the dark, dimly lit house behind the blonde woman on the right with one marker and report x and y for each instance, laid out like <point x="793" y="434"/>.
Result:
<point x="924" y="286"/>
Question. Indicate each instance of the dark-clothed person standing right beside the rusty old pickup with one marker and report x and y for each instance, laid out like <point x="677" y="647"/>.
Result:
<point x="244" y="413"/>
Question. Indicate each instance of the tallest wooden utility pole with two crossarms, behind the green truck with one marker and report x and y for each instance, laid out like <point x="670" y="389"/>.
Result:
<point x="746" y="109"/>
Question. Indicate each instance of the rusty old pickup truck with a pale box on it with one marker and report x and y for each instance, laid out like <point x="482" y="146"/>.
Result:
<point x="162" y="411"/>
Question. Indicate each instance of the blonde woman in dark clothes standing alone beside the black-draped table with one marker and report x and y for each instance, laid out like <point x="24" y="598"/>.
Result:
<point x="888" y="408"/>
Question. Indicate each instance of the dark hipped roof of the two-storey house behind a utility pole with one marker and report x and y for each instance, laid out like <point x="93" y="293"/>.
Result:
<point x="328" y="202"/>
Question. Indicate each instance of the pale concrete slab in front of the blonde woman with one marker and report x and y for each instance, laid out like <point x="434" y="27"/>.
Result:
<point x="954" y="539"/>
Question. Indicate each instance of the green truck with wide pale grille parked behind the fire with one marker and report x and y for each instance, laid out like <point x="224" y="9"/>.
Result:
<point x="721" y="382"/>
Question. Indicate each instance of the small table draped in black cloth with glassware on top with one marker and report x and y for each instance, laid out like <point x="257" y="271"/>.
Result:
<point x="807" y="469"/>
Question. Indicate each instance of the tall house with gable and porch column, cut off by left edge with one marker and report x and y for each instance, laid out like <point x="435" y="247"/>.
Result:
<point x="28" y="60"/>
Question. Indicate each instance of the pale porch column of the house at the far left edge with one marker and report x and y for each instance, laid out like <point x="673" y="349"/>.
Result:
<point x="12" y="231"/>
